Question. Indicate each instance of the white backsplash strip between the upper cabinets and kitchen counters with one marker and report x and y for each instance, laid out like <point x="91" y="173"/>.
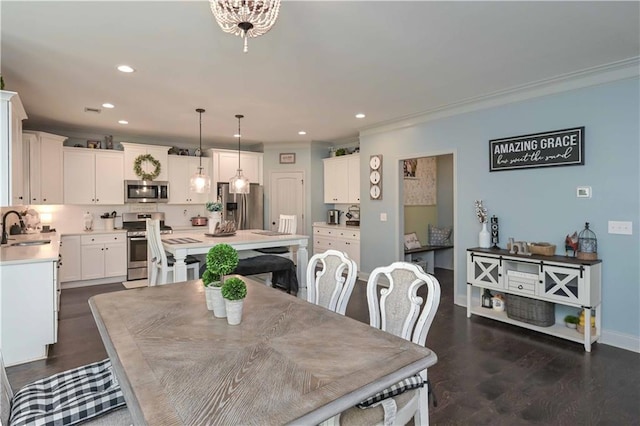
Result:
<point x="70" y="218"/>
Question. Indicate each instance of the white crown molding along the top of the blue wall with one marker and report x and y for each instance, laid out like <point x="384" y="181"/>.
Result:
<point x="620" y="70"/>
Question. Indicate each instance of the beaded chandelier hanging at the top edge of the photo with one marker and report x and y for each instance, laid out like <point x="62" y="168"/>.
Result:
<point x="245" y="18"/>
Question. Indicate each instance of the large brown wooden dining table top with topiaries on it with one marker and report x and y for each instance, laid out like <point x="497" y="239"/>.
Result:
<point x="287" y="362"/>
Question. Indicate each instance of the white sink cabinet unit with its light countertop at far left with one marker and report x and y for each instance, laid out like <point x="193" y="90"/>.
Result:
<point x="29" y="295"/>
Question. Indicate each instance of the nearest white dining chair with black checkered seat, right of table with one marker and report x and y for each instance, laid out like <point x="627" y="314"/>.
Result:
<point x="400" y="311"/>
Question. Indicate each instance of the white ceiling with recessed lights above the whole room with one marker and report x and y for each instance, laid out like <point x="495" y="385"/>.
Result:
<point x="322" y="62"/>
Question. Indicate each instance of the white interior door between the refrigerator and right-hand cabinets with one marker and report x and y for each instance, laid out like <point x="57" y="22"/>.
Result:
<point x="287" y="197"/>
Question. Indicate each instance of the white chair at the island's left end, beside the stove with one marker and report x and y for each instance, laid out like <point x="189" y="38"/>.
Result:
<point x="161" y="264"/>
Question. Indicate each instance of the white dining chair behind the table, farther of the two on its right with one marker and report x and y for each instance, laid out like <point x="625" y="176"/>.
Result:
<point x="331" y="277"/>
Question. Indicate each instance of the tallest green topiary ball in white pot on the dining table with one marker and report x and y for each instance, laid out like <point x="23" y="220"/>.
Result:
<point x="222" y="259"/>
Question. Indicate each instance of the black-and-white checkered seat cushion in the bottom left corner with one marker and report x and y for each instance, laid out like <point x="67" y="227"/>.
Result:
<point x="68" y="398"/>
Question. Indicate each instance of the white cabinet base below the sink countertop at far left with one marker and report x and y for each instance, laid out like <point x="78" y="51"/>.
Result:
<point x="28" y="311"/>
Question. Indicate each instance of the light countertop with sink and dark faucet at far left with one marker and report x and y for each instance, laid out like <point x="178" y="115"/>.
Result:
<point x="14" y="255"/>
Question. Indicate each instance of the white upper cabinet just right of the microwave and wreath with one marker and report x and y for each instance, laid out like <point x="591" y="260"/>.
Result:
<point x="181" y="168"/>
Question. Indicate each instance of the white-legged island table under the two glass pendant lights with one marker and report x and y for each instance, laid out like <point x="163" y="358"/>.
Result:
<point x="184" y="244"/>
